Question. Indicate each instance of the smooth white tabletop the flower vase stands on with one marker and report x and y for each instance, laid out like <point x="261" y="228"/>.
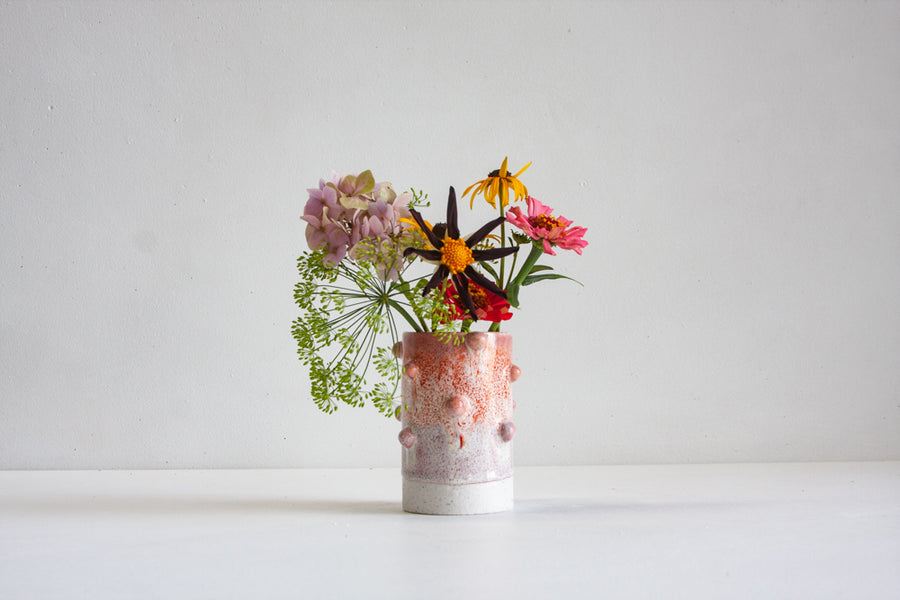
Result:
<point x="811" y="530"/>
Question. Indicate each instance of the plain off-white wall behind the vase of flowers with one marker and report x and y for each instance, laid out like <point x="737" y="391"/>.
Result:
<point x="737" y="165"/>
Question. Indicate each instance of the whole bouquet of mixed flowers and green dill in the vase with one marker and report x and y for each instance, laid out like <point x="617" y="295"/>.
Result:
<point x="361" y="278"/>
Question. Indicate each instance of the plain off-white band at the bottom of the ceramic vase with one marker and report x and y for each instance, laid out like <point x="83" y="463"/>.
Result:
<point x="427" y="498"/>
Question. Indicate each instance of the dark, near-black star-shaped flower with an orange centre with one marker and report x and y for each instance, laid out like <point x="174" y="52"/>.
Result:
<point x="455" y="257"/>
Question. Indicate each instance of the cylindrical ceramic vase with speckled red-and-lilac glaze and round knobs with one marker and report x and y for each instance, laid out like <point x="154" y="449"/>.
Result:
<point x="456" y="418"/>
